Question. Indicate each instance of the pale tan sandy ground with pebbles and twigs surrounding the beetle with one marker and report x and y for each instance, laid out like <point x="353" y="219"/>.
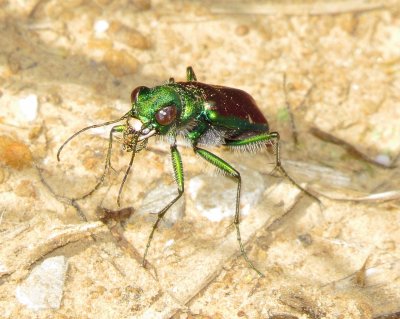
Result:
<point x="65" y="65"/>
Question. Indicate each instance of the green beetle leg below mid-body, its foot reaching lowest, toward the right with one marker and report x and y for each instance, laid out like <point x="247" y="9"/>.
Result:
<point x="227" y="168"/>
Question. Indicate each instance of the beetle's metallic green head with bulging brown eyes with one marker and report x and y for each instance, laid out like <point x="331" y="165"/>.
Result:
<point x="158" y="109"/>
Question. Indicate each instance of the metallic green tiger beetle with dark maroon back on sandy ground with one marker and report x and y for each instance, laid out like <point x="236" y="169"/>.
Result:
<point x="204" y="115"/>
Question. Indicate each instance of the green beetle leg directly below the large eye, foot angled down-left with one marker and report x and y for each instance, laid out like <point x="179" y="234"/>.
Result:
<point x="179" y="179"/>
